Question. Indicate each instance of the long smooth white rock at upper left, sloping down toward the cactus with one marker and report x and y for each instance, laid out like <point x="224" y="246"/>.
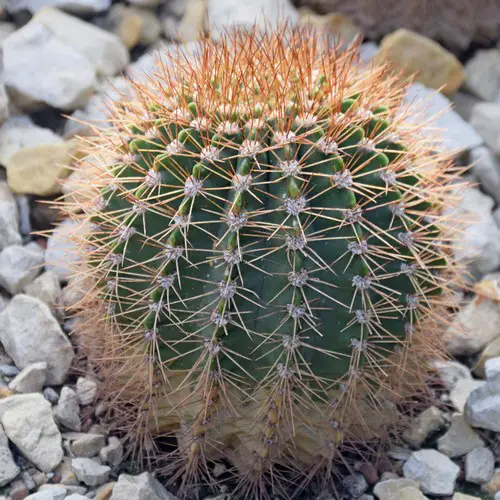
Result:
<point x="104" y="51"/>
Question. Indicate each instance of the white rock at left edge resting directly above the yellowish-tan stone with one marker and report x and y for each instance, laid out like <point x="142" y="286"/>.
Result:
<point x="19" y="132"/>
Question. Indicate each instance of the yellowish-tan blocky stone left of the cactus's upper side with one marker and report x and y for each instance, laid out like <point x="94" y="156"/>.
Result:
<point x="39" y="170"/>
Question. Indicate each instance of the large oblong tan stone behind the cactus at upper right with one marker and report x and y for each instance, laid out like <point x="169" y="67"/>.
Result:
<point x="412" y="53"/>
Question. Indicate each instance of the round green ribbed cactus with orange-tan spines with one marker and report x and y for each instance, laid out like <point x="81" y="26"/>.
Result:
<point x="266" y="259"/>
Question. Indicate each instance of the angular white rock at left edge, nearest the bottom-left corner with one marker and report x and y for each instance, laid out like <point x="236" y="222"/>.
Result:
<point x="28" y="422"/>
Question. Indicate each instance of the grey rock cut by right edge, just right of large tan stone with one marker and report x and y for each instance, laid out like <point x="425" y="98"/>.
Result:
<point x="482" y="74"/>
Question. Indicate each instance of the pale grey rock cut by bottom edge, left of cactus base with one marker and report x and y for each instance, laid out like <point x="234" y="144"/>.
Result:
<point x="141" y="487"/>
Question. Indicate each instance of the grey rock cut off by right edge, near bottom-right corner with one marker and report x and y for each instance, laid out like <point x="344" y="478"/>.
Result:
<point x="483" y="407"/>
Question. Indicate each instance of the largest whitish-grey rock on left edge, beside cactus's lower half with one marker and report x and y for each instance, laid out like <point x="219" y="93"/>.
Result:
<point x="29" y="333"/>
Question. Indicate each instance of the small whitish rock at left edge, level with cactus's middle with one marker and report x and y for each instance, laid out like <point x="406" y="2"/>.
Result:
<point x="19" y="266"/>
